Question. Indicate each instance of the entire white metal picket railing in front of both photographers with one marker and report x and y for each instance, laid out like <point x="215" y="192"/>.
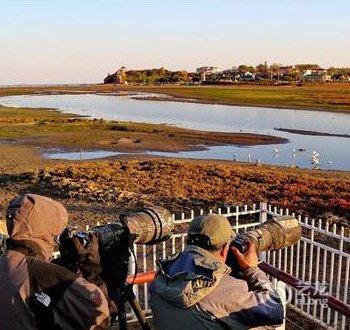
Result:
<point x="321" y="258"/>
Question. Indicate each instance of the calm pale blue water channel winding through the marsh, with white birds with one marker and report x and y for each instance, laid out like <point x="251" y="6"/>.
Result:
<point x="334" y="152"/>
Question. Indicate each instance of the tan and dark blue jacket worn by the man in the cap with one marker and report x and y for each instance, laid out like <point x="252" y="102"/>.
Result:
<point x="194" y="290"/>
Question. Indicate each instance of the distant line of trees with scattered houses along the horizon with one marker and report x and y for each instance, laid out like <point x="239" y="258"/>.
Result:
<point x="242" y="73"/>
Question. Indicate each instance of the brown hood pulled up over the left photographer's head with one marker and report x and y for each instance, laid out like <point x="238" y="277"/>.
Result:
<point x="34" y="221"/>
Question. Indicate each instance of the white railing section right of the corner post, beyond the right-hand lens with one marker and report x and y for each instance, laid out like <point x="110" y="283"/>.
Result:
<point x="320" y="258"/>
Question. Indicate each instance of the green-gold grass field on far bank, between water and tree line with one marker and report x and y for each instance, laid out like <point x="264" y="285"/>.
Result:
<point x="315" y="97"/>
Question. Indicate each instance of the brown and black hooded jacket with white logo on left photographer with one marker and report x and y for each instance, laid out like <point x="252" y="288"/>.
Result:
<point x="37" y="294"/>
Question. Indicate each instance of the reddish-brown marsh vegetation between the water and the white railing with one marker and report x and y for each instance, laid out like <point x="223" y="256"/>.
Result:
<point x="180" y="185"/>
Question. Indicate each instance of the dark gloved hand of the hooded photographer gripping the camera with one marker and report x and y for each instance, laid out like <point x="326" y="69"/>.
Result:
<point x="80" y="258"/>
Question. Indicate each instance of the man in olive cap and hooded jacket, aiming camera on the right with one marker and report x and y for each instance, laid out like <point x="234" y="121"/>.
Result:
<point x="194" y="289"/>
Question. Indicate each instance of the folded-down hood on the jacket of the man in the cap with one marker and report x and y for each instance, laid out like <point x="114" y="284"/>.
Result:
<point x="188" y="277"/>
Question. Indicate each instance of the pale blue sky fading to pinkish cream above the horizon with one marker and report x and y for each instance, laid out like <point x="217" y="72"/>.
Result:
<point x="42" y="42"/>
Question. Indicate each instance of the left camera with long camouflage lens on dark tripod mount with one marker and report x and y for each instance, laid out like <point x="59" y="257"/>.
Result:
<point x="144" y="226"/>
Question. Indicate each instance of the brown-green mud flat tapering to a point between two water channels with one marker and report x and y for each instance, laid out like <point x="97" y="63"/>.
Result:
<point x="47" y="128"/>
